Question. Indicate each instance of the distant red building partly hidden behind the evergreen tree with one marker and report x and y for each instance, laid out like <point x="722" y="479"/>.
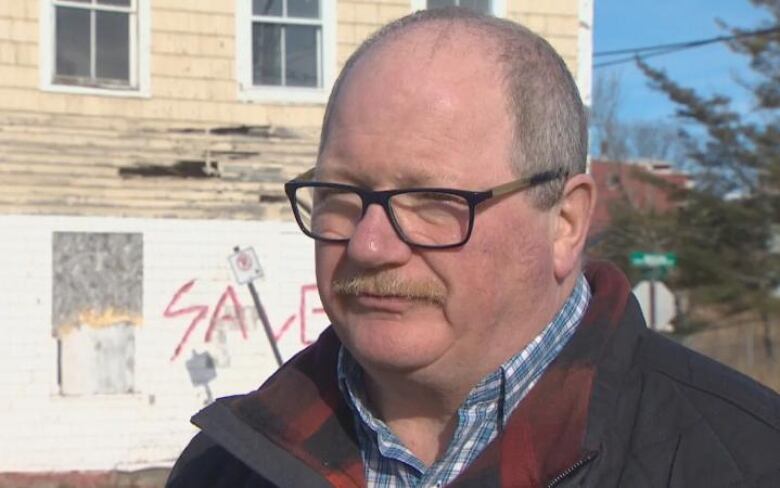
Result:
<point x="629" y="183"/>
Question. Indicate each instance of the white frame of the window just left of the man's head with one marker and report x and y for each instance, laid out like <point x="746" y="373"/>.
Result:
<point x="248" y="92"/>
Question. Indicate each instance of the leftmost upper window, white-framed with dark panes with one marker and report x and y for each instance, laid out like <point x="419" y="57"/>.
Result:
<point x="94" y="45"/>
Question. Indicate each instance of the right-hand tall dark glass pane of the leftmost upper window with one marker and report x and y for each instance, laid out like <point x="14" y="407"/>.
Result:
<point x="112" y="34"/>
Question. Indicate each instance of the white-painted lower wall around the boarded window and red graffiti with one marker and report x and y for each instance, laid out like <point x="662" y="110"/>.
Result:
<point x="45" y="431"/>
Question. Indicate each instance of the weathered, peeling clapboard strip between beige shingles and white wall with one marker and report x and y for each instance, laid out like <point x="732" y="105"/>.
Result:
<point x="70" y="165"/>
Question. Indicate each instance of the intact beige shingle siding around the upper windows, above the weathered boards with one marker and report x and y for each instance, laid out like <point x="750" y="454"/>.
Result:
<point x="192" y="60"/>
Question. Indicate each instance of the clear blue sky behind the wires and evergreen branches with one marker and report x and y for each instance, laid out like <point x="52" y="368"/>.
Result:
<point x="620" y="24"/>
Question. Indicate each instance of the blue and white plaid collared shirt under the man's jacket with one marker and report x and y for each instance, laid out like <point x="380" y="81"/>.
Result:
<point x="481" y="417"/>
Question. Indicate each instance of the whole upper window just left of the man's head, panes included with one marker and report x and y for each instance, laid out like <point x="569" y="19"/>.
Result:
<point x="285" y="49"/>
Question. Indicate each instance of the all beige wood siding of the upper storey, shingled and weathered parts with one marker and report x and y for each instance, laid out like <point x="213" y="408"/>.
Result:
<point x="64" y="153"/>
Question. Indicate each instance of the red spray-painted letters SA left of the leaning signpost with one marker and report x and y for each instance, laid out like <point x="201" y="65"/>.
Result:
<point x="201" y="311"/>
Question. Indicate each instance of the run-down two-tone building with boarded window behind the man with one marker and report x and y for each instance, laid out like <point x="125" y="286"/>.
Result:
<point x="140" y="142"/>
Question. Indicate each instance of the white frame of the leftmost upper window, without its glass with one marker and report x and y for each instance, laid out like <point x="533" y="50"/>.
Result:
<point x="139" y="53"/>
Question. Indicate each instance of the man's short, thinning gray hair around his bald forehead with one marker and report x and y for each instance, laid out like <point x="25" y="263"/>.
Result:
<point x="550" y="130"/>
